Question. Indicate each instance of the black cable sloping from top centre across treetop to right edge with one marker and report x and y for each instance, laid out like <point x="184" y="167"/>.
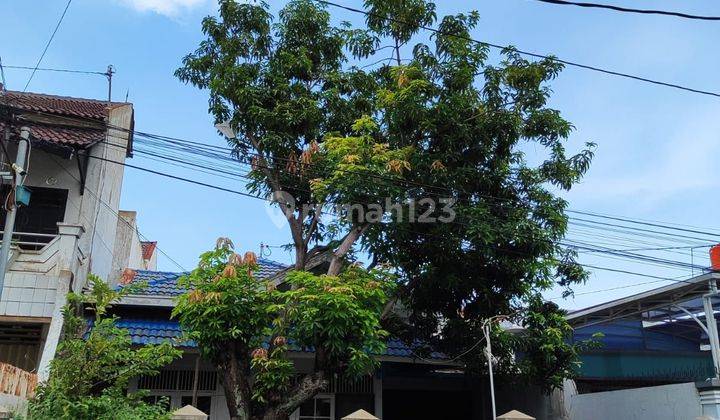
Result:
<point x="527" y="53"/>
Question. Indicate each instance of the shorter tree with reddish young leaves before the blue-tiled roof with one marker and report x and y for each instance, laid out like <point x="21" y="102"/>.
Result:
<point x="246" y="327"/>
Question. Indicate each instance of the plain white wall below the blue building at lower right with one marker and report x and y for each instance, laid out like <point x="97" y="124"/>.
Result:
<point x="667" y="402"/>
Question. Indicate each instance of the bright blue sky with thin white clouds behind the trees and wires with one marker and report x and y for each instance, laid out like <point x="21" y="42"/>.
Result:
<point x="657" y="154"/>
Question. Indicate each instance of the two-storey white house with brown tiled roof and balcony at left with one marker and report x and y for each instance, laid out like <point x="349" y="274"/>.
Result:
<point x="69" y="227"/>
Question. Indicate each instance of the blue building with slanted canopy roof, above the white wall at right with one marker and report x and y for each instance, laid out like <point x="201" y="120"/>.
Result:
<point x="649" y="339"/>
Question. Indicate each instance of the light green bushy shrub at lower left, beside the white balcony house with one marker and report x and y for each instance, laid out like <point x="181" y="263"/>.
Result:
<point x="90" y="373"/>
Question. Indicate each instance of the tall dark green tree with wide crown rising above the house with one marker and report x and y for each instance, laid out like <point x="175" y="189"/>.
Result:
<point x="441" y="133"/>
